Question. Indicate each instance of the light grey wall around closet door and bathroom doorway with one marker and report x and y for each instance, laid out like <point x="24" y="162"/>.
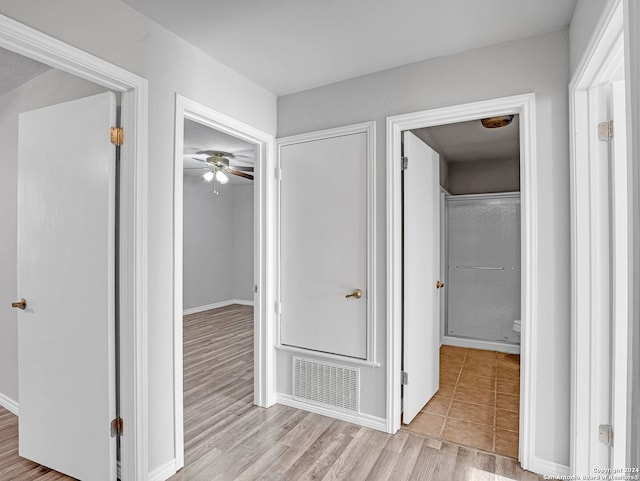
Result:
<point x="539" y="64"/>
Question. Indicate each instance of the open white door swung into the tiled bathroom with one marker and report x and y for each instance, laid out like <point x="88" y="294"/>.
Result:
<point x="421" y="244"/>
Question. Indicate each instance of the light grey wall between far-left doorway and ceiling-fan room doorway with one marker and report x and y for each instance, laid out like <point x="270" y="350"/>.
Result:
<point x="115" y="32"/>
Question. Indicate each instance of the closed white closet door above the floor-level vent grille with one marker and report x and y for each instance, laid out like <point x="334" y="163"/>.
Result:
<point x="323" y="245"/>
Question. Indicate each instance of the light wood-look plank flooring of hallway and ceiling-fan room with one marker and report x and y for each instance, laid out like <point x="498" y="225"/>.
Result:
<point x="227" y="438"/>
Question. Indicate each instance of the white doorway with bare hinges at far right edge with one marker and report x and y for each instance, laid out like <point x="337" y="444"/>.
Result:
<point x="601" y="228"/>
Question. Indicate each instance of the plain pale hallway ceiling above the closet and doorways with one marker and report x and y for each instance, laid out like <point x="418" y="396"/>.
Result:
<point x="292" y="45"/>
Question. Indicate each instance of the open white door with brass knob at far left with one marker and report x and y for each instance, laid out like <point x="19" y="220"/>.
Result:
<point x="66" y="266"/>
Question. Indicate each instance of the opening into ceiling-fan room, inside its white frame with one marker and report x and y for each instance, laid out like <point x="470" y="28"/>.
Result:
<point x="218" y="277"/>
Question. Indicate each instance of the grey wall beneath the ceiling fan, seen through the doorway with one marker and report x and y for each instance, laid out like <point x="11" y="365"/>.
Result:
<point x="218" y="243"/>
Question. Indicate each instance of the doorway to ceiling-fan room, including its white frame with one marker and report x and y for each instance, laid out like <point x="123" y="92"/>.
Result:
<point x="221" y="265"/>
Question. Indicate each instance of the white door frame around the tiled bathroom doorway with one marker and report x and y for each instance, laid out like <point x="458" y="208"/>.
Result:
<point x="524" y="105"/>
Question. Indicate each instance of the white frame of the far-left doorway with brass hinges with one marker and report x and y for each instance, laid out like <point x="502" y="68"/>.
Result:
<point x="31" y="43"/>
